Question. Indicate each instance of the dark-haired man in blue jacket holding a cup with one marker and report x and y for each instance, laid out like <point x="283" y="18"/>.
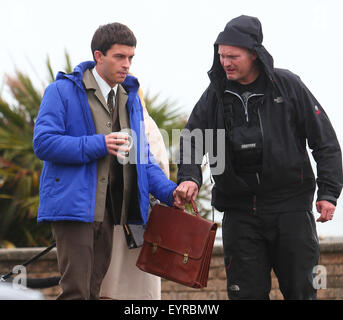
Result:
<point x="86" y="187"/>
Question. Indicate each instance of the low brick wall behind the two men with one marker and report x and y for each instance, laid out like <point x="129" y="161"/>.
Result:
<point x="331" y="258"/>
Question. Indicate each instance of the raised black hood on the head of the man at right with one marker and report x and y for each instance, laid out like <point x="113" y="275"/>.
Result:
<point x="246" y="32"/>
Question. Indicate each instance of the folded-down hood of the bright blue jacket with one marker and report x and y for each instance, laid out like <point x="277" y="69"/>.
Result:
<point x="130" y="84"/>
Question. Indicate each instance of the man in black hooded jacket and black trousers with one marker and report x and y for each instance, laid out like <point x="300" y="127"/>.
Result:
<point x="267" y="186"/>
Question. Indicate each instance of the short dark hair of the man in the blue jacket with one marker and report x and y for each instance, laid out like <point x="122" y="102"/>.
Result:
<point x="109" y="34"/>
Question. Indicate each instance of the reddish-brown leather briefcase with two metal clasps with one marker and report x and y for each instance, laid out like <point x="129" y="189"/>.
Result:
<point x="178" y="246"/>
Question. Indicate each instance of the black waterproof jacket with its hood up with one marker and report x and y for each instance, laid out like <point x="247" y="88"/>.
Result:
<point x="290" y="117"/>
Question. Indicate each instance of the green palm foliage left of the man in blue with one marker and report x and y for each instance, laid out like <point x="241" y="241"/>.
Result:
<point x="19" y="167"/>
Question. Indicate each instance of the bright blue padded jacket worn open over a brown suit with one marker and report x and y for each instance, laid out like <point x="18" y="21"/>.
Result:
<point x="65" y="139"/>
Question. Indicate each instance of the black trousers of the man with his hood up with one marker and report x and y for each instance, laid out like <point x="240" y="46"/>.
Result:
<point x="254" y="244"/>
